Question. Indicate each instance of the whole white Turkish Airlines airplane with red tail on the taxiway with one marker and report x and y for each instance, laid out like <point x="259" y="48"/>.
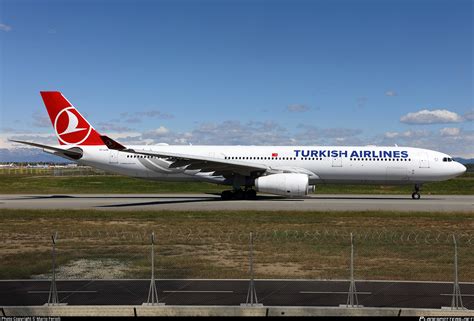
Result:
<point x="290" y="171"/>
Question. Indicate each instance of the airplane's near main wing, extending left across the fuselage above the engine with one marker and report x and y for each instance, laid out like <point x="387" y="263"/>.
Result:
<point x="220" y="167"/>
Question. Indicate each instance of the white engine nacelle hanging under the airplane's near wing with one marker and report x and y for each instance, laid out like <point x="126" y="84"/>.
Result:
<point x="292" y="185"/>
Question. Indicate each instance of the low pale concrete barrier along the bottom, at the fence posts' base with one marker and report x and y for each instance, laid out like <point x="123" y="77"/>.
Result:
<point x="96" y="310"/>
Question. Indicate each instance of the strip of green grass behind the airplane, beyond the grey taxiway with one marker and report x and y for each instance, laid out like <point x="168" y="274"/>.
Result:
<point x="27" y="184"/>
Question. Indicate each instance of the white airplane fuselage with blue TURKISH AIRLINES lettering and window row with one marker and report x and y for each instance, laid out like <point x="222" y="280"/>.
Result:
<point x="324" y="164"/>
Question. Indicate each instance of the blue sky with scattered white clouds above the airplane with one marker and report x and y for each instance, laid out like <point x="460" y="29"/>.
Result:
<point x="244" y="72"/>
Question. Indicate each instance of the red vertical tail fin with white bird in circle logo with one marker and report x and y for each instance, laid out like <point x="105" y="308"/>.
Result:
<point x="71" y="128"/>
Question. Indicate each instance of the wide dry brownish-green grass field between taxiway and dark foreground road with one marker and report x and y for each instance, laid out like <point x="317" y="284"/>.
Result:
<point x="389" y="245"/>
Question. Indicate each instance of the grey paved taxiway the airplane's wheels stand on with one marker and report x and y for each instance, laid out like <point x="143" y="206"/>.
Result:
<point x="211" y="202"/>
